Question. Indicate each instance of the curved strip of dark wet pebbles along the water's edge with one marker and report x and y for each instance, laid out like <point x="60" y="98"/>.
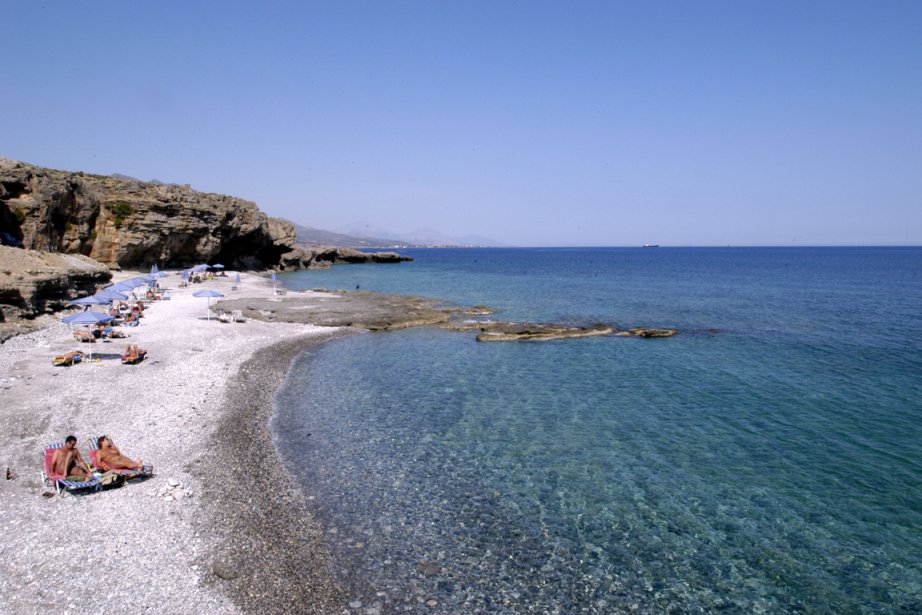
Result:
<point x="269" y="553"/>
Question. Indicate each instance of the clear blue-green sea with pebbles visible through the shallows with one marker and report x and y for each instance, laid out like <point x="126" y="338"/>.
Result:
<point x="767" y="459"/>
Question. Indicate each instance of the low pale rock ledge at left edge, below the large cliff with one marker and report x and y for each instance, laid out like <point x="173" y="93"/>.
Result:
<point x="34" y="283"/>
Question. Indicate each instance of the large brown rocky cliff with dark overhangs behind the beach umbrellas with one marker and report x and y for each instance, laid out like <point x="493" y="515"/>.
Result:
<point x="122" y="222"/>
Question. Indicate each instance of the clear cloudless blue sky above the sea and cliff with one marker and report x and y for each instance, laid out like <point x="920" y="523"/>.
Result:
<point x="532" y="123"/>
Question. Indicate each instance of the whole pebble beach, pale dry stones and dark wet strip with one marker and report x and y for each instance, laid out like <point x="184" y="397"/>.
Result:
<point x="219" y="528"/>
